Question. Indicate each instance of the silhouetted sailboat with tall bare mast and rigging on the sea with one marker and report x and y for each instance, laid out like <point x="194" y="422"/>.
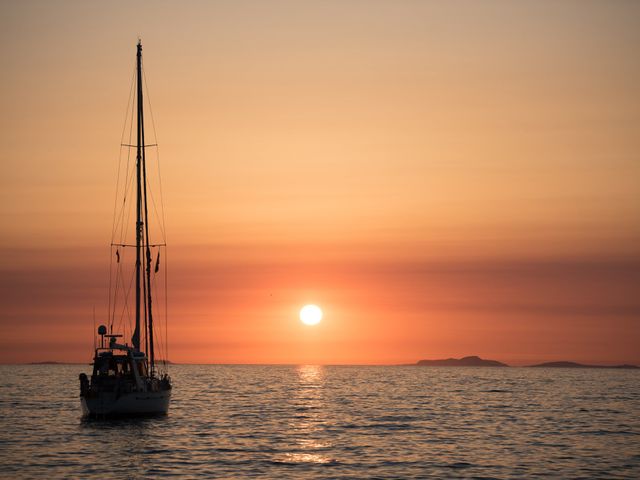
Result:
<point x="125" y="379"/>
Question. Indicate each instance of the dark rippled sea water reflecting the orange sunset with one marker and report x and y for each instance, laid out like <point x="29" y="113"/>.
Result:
<point x="331" y="422"/>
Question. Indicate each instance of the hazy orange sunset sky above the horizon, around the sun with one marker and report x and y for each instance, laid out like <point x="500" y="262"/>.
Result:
<point x="441" y="178"/>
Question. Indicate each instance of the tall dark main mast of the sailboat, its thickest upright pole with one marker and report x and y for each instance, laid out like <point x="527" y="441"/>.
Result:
<point x="135" y="340"/>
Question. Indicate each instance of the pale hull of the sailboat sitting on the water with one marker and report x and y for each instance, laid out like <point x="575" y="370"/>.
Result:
<point x="135" y="403"/>
